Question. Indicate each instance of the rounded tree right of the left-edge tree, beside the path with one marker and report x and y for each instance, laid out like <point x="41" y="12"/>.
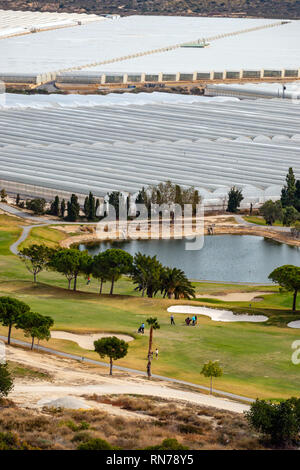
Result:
<point x="36" y="326"/>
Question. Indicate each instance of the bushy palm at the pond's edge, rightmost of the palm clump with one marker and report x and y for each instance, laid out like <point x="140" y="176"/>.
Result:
<point x="175" y="282"/>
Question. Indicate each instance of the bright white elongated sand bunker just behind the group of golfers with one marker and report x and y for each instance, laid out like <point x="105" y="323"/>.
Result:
<point x="216" y="314"/>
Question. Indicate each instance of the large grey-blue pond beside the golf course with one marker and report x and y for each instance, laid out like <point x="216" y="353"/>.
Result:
<point x="223" y="258"/>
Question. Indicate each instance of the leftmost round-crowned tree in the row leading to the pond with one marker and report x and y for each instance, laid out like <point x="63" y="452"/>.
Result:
<point x="36" y="258"/>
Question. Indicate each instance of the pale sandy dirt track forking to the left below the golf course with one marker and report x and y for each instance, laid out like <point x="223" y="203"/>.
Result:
<point x="70" y="378"/>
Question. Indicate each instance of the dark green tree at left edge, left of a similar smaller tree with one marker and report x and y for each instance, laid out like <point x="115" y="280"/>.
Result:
<point x="10" y="312"/>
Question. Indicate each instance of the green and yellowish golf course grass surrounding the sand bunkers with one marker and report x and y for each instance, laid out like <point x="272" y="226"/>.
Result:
<point x="256" y="358"/>
